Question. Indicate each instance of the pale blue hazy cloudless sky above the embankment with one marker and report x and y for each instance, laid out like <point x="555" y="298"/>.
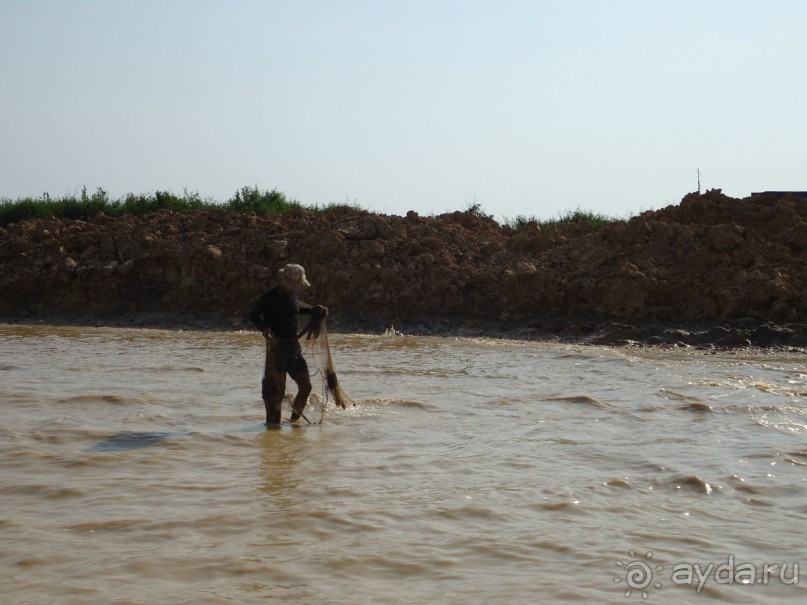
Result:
<point x="524" y="107"/>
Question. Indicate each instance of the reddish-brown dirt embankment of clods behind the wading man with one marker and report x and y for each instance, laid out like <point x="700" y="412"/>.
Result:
<point x="712" y="268"/>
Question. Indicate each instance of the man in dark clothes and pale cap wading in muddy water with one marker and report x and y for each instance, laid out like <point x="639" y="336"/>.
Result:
<point x="275" y="314"/>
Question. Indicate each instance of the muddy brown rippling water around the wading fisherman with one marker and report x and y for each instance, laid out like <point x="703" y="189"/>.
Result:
<point x="135" y="466"/>
